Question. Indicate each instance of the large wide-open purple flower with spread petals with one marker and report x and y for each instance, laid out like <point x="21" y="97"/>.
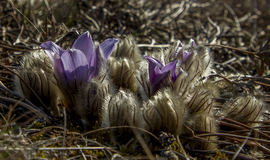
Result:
<point x="82" y="61"/>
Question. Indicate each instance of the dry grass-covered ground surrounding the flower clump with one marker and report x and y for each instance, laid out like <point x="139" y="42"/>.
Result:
<point x="236" y="32"/>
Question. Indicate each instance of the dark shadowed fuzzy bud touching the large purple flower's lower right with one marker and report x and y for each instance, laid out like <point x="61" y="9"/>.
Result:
<point x="91" y="96"/>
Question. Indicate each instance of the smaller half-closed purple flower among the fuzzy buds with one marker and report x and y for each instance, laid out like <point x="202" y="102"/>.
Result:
<point x="158" y="72"/>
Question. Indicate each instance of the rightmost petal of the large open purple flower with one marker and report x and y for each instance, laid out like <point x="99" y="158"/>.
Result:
<point x="108" y="47"/>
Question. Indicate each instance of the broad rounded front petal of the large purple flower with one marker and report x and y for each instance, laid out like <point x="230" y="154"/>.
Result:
<point x="75" y="64"/>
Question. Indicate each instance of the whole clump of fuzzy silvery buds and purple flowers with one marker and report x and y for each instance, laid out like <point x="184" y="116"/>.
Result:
<point x="117" y="86"/>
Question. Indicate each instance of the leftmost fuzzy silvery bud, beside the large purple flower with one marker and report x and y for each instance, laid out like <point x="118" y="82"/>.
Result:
<point x="37" y="71"/>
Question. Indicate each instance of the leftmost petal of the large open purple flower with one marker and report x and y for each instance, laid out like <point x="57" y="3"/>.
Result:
<point x="51" y="49"/>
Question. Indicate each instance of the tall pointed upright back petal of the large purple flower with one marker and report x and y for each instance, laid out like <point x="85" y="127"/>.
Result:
<point x="85" y="44"/>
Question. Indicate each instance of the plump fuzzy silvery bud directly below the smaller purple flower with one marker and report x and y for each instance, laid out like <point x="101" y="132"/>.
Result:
<point x="164" y="112"/>
